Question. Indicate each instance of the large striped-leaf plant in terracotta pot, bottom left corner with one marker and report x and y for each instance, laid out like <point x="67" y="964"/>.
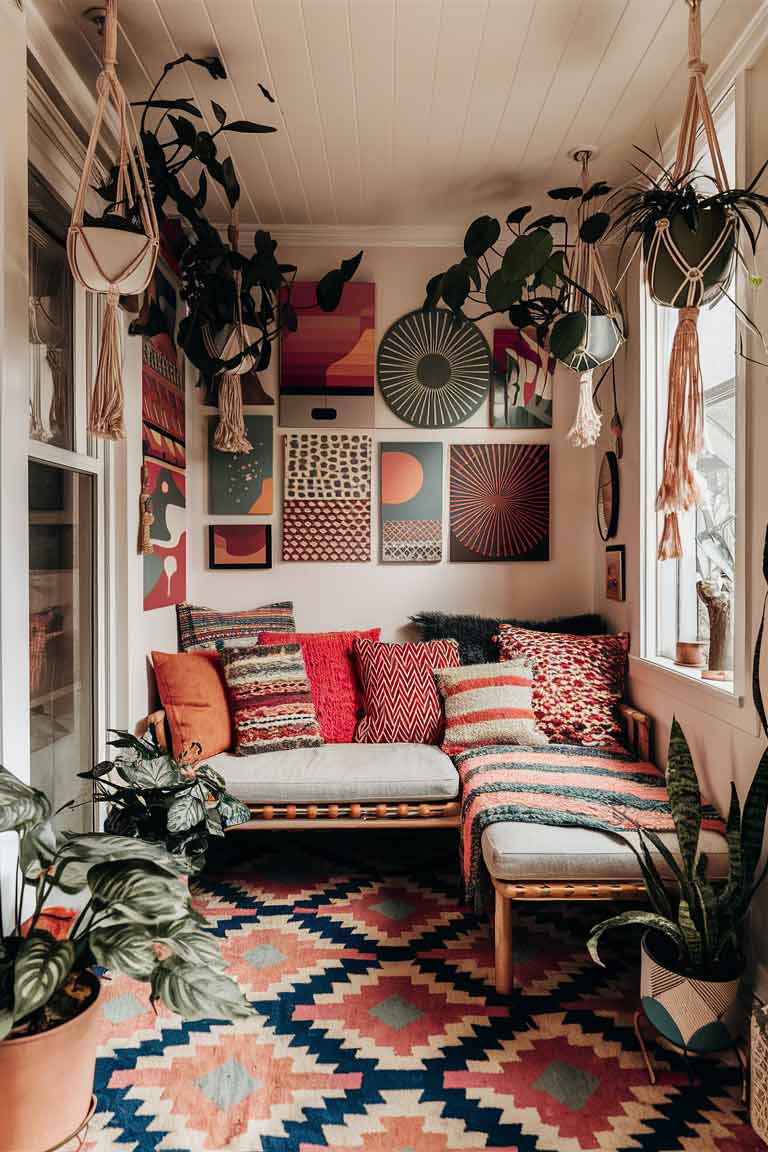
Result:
<point x="133" y="916"/>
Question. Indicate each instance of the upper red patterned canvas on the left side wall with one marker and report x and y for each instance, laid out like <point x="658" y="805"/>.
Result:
<point x="163" y="388"/>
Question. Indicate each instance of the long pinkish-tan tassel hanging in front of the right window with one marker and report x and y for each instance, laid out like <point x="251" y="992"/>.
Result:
<point x="685" y="437"/>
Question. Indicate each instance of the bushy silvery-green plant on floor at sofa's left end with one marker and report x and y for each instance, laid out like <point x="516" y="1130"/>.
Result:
<point x="161" y="800"/>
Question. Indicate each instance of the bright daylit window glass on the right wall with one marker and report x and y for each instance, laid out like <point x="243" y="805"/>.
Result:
<point x="675" y="592"/>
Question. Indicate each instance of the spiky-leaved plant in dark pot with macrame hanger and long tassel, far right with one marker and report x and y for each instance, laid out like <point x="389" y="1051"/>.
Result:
<point x="690" y="238"/>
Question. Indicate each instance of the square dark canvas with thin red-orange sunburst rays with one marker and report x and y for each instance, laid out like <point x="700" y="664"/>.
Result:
<point x="499" y="502"/>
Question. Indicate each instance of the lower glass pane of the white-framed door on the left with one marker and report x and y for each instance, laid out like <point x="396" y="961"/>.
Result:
<point x="60" y="635"/>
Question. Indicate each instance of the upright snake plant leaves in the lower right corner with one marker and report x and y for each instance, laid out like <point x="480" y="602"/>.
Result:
<point x="703" y="918"/>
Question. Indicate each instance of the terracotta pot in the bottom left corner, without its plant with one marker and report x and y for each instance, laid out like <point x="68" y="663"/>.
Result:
<point x="48" y="1082"/>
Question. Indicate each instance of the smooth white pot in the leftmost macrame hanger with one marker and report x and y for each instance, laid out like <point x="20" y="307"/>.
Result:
<point x="103" y="257"/>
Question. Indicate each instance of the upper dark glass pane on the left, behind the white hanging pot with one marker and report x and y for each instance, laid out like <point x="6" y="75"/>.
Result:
<point x="50" y="321"/>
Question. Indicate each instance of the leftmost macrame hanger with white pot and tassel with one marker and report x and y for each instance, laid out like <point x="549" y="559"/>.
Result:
<point x="113" y="261"/>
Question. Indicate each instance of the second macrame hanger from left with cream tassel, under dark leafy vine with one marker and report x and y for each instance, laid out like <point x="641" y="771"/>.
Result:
<point x="230" y="435"/>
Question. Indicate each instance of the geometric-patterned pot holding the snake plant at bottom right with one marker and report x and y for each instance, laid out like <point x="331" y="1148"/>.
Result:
<point x="696" y="1015"/>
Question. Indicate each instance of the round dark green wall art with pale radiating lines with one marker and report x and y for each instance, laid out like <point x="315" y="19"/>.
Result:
<point x="435" y="372"/>
